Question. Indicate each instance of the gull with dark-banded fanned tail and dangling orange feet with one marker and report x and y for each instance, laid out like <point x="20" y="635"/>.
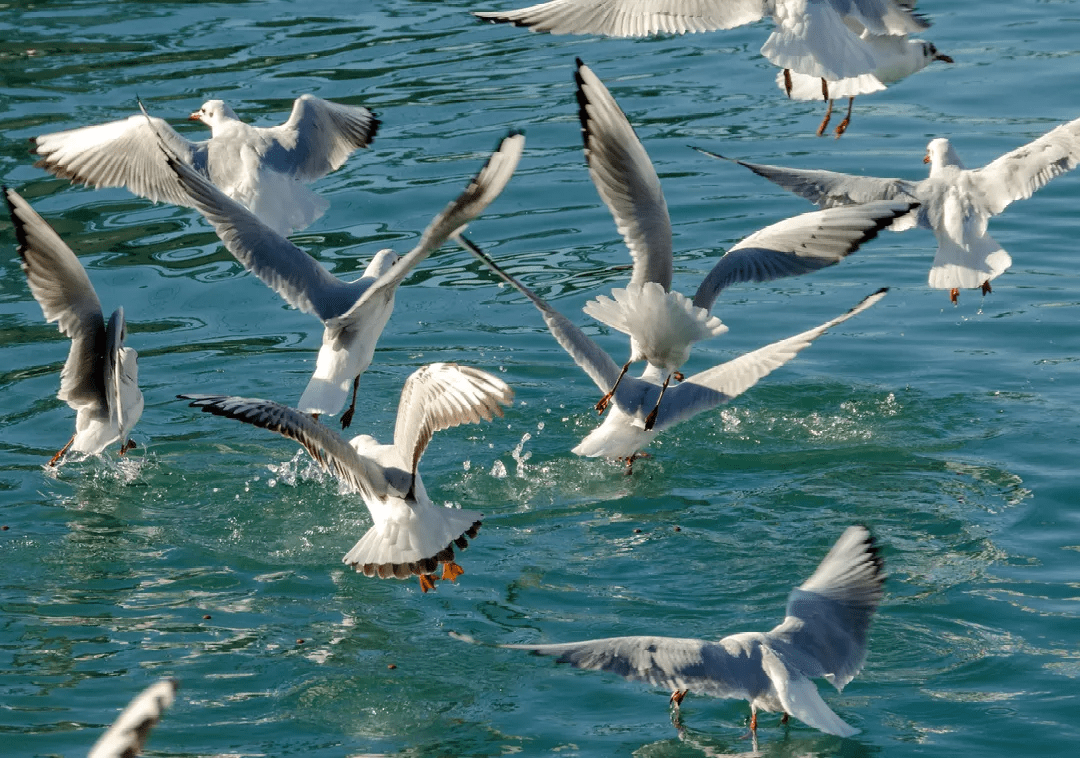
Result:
<point x="411" y="535"/>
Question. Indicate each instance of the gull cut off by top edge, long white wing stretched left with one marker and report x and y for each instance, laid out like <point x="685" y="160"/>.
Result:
<point x="816" y="38"/>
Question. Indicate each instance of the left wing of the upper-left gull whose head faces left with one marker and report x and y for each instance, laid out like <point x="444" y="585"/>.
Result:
<point x="123" y="154"/>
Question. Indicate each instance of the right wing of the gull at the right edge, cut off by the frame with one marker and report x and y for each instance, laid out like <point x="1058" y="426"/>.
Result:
<point x="1017" y="175"/>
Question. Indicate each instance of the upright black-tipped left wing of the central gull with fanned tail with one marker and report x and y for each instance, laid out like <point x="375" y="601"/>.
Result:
<point x="626" y="180"/>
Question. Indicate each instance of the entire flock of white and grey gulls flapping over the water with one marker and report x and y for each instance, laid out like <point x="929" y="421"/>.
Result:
<point x="250" y="185"/>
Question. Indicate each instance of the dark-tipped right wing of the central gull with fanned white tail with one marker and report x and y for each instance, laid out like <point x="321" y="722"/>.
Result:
<point x="800" y="246"/>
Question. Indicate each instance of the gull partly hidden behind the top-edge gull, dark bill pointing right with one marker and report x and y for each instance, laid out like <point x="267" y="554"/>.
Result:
<point x="896" y="58"/>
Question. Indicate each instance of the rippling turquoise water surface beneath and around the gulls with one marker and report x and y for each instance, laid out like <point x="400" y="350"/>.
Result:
<point x="951" y="431"/>
